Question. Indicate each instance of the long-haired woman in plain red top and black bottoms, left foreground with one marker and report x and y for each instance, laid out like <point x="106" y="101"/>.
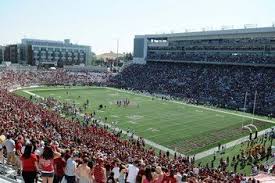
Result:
<point x="29" y="164"/>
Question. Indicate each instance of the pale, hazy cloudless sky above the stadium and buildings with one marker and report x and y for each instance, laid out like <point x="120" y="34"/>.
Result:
<point x="100" y="23"/>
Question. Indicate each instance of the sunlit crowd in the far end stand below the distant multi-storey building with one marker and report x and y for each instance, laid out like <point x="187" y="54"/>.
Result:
<point x="13" y="79"/>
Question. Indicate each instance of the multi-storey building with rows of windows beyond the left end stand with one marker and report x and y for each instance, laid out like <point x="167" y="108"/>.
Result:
<point x="47" y="52"/>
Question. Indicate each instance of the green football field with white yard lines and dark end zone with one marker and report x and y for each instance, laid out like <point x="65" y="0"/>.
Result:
<point x="187" y="128"/>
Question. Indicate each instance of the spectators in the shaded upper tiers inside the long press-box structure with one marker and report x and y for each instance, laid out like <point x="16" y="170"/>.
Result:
<point x="238" y="51"/>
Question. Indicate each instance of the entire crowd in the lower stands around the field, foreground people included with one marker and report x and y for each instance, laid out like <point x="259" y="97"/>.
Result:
<point x="40" y="140"/>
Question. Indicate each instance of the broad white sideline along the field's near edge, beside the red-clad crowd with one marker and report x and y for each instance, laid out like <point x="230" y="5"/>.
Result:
<point x="148" y="142"/>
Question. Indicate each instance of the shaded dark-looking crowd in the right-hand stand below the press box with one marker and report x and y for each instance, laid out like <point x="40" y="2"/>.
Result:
<point x="217" y="85"/>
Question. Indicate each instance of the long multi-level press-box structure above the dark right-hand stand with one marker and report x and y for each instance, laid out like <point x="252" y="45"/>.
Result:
<point x="249" y="46"/>
